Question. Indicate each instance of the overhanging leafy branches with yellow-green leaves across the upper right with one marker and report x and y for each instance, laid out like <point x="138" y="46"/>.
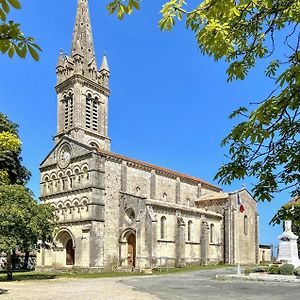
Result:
<point x="265" y="145"/>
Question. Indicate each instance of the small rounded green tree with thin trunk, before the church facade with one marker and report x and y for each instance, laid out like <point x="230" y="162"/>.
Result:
<point x="24" y="224"/>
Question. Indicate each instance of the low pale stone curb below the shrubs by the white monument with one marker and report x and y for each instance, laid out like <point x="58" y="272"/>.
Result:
<point x="261" y="277"/>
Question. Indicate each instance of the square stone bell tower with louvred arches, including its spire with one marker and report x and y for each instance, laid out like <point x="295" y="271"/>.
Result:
<point x="83" y="90"/>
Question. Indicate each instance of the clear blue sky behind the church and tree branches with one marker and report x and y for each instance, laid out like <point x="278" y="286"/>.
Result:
<point x="169" y="105"/>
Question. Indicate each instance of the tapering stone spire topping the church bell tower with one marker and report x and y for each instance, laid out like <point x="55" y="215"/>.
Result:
<point x="82" y="36"/>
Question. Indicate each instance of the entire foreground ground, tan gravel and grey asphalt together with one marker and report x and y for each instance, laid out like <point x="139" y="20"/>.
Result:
<point x="198" y="285"/>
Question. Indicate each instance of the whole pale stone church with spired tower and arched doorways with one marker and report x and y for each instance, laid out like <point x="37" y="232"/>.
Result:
<point x="118" y="212"/>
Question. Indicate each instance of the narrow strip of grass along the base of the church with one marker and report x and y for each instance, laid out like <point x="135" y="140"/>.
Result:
<point x="33" y="275"/>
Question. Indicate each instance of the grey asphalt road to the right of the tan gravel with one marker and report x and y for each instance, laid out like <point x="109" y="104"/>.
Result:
<point x="200" y="285"/>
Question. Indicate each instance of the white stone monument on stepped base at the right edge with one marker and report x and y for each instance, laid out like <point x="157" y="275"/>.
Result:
<point x="288" y="250"/>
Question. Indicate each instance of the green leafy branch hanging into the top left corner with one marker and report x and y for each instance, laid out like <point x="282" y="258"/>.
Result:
<point x="12" y="39"/>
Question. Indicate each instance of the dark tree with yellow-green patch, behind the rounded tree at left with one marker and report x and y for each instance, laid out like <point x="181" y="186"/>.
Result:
<point x="11" y="169"/>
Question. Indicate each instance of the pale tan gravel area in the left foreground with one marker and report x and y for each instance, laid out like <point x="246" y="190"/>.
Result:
<point x="87" y="289"/>
